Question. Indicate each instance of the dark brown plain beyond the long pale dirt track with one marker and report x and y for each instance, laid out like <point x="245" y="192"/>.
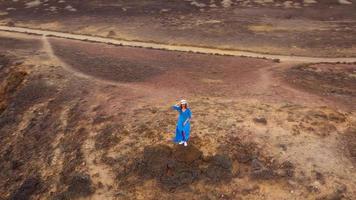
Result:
<point x="287" y="27"/>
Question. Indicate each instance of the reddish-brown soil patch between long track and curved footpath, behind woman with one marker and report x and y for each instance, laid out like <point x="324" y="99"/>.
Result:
<point x="182" y="73"/>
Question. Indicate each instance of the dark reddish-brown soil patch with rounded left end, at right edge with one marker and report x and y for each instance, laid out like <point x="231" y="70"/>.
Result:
<point x="335" y="81"/>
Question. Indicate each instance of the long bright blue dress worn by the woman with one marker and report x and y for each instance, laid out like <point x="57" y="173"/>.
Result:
<point x="182" y="132"/>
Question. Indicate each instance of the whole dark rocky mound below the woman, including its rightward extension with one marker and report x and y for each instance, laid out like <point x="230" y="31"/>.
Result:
<point x="179" y="166"/>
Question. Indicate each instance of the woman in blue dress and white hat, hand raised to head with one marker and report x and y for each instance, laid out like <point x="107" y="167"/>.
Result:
<point x="183" y="123"/>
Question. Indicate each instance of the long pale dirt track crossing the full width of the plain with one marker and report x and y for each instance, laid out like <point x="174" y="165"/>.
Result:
<point x="204" y="50"/>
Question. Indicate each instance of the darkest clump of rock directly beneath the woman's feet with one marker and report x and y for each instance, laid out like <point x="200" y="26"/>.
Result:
<point x="180" y="166"/>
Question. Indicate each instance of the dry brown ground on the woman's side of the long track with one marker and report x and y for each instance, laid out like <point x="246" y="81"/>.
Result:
<point x="84" y="120"/>
